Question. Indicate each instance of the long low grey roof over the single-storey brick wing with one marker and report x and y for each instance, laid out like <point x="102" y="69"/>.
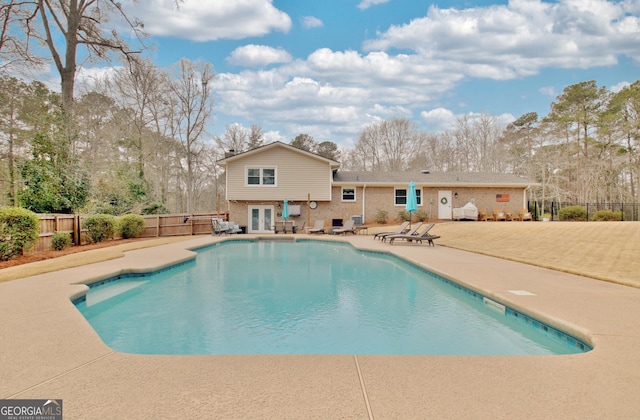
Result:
<point x="431" y="179"/>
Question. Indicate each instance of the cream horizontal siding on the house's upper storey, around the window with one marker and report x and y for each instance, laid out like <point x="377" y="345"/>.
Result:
<point x="296" y="176"/>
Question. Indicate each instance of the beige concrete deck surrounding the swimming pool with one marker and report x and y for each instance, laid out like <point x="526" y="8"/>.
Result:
<point x="49" y="351"/>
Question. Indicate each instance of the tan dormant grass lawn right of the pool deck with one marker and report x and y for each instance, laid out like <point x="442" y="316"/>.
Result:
<point x="603" y="250"/>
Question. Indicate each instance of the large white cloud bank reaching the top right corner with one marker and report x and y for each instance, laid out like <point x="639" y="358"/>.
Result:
<point x="520" y="38"/>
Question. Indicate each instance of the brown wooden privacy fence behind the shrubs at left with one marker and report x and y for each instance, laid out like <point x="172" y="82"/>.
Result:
<point x="155" y="226"/>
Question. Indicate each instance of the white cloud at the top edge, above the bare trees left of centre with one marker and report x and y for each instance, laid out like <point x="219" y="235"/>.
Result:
<point x="209" y="20"/>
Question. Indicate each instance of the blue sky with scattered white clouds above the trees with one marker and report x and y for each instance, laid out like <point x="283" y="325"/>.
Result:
<point x="329" y="68"/>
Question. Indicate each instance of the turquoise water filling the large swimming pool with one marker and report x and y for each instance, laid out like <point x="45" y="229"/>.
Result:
<point x="307" y="297"/>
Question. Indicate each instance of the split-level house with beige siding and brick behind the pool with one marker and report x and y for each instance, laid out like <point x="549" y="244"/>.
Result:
<point x="258" y="181"/>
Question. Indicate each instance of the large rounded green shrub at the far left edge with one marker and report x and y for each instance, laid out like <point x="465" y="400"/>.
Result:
<point x="19" y="229"/>
